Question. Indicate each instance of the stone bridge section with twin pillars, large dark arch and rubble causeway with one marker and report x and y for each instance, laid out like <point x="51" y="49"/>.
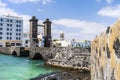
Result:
<point x="58" y="56"/>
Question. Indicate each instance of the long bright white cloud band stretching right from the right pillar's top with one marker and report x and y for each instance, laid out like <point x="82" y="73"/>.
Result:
<point x="85" y="26"/>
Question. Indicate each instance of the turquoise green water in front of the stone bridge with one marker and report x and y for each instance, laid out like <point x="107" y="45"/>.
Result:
<point x="17" y="68"/>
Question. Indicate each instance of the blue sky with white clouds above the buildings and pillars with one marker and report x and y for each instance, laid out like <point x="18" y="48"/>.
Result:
<point x="78" y="19"/>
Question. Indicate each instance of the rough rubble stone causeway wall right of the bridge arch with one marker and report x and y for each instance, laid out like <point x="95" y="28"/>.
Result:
<point x="77" y="58"/>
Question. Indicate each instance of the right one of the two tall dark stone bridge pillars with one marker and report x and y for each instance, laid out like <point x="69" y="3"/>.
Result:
<point x="47" y="33"/>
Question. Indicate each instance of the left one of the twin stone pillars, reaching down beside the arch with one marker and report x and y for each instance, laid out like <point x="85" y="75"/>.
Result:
<point x="33" y="35"/>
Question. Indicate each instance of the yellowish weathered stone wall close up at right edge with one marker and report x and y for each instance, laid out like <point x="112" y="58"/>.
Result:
<point x="105" y="54"/>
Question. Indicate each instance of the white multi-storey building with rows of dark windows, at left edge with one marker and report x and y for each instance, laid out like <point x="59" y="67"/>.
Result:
<point x="11" y="31"/>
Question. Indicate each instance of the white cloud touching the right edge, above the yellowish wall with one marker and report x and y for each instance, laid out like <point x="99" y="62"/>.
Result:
<point x="110" y="11"/>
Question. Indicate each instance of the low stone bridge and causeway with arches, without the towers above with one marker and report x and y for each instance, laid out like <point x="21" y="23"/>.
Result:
<point x="77" y="58"/>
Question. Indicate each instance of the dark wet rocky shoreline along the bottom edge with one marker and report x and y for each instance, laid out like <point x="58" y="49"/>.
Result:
<point x="65" y="75"/>
